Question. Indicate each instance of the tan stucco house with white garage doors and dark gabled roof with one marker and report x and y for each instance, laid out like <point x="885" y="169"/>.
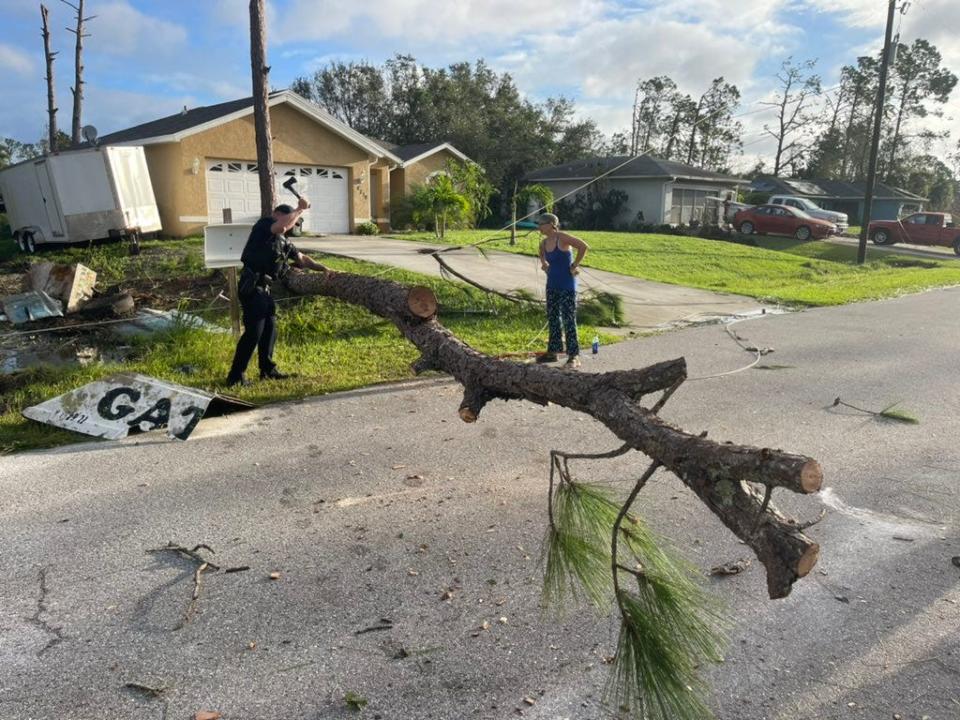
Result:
<point x="203" y="160"/>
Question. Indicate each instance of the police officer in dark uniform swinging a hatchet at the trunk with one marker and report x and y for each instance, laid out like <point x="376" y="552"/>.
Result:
<point x="266" y="258"/>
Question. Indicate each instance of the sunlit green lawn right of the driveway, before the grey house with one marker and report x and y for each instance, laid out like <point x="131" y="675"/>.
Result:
<point x="780" y="270"/>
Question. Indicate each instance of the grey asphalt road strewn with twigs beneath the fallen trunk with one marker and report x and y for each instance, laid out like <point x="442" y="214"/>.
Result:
<point x="381" y="504"/>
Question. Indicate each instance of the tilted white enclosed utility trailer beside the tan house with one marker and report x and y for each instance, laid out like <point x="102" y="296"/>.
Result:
<point x="80" y="195"/>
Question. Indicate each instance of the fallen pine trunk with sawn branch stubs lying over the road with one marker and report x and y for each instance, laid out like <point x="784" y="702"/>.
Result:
<point x="719" y="473"/>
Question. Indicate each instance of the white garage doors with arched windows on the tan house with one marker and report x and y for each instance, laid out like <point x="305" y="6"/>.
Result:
<point x="235" y="184"/>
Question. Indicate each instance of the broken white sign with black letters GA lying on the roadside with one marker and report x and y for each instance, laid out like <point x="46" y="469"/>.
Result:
<point x="113" y="407"/>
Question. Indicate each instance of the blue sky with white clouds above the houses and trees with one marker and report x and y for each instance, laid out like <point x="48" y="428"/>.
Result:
<point x="149" y="58"/>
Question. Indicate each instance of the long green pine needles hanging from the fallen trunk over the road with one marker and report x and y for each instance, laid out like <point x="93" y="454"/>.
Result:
<point x="670" y="625"/>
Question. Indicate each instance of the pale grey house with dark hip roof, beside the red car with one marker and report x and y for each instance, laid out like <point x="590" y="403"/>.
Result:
<point x="658" y="191"/>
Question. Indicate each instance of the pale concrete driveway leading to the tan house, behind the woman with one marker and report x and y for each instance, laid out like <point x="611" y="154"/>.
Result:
<point x="647" y="304"/>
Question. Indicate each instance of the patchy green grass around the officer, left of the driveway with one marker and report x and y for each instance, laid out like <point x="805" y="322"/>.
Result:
<point x="330" y="344"/>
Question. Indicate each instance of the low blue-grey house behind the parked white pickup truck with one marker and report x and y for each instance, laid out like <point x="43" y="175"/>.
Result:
<point x="889" y="203"/>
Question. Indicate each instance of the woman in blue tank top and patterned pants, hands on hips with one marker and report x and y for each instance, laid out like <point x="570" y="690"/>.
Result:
<point x="557" y="261"/>
